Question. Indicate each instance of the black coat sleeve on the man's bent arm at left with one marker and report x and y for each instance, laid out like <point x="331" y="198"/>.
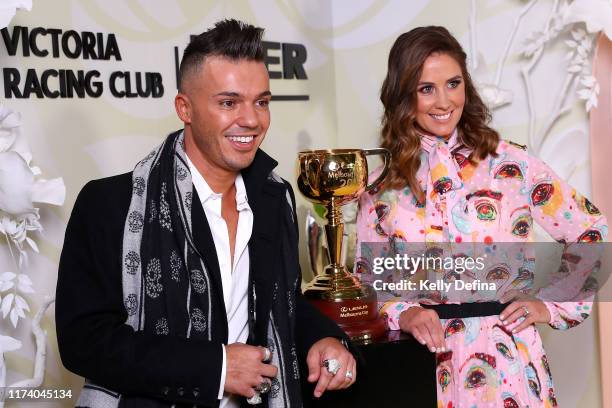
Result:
<point x="94" y="340"/>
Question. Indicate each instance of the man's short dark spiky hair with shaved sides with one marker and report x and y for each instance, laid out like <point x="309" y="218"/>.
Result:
<point x="231" y="39"/>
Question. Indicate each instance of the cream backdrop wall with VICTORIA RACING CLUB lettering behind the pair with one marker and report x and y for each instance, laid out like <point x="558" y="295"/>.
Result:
<point x="327" y="60"/>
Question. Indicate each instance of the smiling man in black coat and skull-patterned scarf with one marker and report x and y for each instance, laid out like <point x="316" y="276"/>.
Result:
<point x="179" y="282"/>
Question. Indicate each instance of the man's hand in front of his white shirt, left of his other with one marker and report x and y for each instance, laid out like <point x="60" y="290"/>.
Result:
<point x="245" y="369"/>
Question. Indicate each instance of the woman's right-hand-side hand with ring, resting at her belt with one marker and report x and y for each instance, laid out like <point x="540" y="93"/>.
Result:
<point x="531" y="309"/>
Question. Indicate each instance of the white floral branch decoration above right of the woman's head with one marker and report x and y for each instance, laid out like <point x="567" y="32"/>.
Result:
<point x="566" y="16"/>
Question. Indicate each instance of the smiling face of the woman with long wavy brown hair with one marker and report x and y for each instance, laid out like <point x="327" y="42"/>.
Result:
<point x="440" y="95"/>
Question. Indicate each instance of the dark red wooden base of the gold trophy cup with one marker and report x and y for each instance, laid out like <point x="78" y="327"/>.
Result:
<point x="357" y="316"/>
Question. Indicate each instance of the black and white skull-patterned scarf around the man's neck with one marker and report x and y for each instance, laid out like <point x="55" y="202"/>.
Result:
<point x="160" y="264"/>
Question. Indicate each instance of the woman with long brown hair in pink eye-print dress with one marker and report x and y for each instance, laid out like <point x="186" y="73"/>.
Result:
<point x="453" y="180"/>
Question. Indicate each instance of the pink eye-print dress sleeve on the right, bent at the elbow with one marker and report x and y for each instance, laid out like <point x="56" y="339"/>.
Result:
<point x="571" y="219"/>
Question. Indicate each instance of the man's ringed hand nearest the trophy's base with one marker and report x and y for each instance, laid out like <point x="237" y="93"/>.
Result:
<point x="326" y="349"/>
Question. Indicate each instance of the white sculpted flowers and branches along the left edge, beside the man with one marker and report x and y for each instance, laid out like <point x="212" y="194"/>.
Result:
<point x="21" y="191"/>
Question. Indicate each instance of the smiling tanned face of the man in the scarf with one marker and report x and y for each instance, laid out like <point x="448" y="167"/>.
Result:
<point x="227" y="113"/>
